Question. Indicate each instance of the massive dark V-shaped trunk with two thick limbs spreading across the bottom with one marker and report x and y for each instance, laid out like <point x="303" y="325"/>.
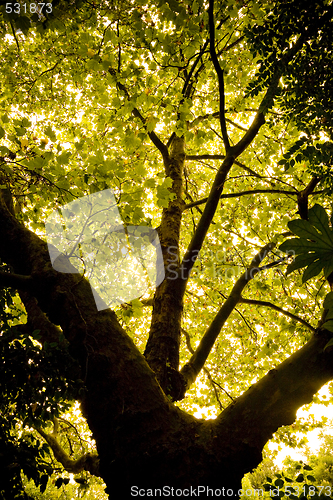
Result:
<point x="142" y="439"/>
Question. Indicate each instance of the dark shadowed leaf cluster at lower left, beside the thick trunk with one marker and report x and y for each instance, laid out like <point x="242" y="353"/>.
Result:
<point x="37" y="383"/>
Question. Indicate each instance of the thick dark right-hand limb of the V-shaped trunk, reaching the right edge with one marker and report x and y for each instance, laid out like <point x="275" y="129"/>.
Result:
<point x="274" y="400"/>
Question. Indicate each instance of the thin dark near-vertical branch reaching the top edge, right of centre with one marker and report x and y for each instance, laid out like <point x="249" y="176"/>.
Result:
<point x="220" y="75"/>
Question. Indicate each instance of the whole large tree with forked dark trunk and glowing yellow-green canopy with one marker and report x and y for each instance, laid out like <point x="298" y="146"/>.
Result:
<point x="202" y="120"/>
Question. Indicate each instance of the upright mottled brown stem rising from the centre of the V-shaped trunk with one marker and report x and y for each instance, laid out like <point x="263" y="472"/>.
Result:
<point x="162" y="350"/>
